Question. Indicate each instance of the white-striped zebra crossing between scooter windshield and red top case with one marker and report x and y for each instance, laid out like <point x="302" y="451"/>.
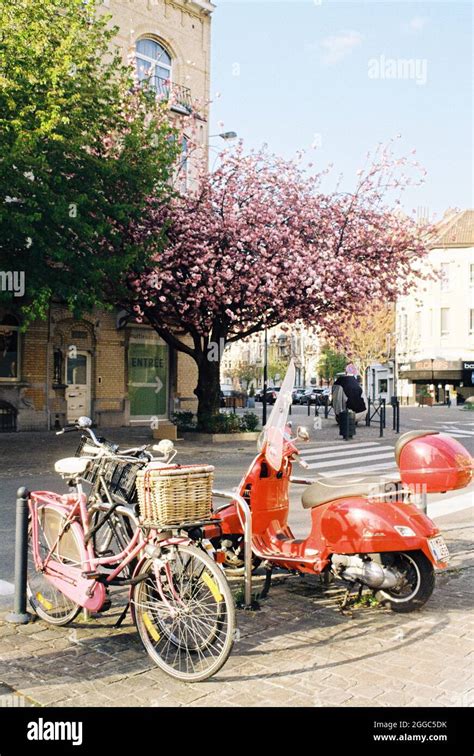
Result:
<point x="360" y="457"/>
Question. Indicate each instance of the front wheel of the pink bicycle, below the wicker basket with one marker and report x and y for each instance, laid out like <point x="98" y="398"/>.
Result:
<point x="184" y="613"/>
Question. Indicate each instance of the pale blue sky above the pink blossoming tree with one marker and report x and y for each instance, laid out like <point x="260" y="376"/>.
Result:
<point x="336" y="78"/>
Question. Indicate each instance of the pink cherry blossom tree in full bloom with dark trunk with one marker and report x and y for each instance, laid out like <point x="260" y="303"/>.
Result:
<point x="258" y="243"/>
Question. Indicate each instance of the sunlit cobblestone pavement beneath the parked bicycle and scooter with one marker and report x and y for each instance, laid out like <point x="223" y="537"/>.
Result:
<point x="297" y="650"/>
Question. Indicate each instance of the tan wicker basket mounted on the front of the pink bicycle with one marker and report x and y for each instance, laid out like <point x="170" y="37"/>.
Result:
<point x="175" y="495"/>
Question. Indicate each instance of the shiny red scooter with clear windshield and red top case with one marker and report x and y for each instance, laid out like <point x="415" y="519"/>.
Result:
<point x="366" y="531"/>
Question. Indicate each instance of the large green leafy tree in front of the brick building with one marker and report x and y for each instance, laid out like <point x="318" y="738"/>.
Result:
<point x="83" y="153"/>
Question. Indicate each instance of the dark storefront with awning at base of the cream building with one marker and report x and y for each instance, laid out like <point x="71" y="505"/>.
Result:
<point x="437" y="380"/>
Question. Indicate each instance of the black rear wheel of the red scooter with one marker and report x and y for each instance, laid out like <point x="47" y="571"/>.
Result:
<point x="418" y="581"/>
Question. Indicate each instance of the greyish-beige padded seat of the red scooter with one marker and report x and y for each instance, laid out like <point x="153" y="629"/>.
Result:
<point x="330" y="489"/>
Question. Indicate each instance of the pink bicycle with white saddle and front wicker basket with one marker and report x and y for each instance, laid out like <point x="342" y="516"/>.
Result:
<point x="179" y="597"/>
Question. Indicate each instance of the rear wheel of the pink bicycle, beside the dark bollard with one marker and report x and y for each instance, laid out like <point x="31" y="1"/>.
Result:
<point x="49" y="602"/>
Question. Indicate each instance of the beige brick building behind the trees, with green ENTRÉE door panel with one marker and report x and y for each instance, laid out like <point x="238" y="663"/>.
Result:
<point x="116" y="371"/>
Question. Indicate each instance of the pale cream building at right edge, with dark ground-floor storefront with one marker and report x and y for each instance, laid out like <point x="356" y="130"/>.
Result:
<point x="435" y="325"/>
